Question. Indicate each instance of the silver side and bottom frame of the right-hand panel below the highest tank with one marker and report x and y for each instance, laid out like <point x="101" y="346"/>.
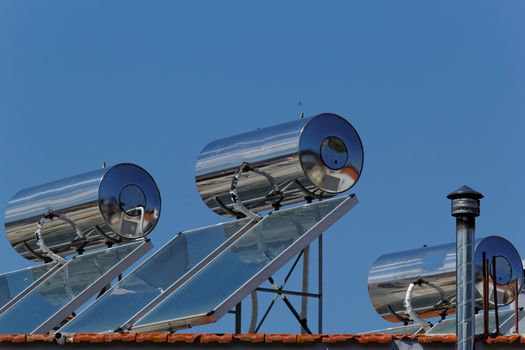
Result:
<point x="220" y="310"/>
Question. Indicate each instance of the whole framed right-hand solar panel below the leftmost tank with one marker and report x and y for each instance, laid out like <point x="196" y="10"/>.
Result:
<point x="70" y="286"/>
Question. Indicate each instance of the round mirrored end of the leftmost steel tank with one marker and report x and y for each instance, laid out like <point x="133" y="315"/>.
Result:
<point x="129" y="201"/>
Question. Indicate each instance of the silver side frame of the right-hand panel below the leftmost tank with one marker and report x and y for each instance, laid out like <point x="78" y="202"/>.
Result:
<point x="97" y="285"/>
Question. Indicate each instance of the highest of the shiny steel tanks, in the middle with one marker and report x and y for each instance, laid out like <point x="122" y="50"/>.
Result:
<point x="318" y="157"/>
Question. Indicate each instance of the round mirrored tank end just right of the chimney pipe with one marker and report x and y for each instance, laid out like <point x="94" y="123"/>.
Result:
<point x="509" y="268"/>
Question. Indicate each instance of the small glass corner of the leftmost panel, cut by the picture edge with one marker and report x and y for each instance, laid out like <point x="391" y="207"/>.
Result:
<point x="12" y="283"/>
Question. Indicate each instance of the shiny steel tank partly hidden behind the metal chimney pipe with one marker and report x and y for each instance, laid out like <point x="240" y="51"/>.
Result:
<point x="391" y="274"/>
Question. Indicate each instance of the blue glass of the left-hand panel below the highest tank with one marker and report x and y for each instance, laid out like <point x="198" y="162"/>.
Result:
<point x="150" y="279"/>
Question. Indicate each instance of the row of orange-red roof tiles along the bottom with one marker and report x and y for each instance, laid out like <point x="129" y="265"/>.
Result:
<point x="250" y="338"/>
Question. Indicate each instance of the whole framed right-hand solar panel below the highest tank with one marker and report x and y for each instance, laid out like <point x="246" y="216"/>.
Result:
<point x="243" y="266"/>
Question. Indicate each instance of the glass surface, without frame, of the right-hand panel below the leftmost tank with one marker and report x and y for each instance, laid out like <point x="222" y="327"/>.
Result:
<point x="59" y="289"/>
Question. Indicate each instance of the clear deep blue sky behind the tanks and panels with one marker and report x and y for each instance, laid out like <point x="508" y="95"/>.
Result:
<point x="435" y="89"/>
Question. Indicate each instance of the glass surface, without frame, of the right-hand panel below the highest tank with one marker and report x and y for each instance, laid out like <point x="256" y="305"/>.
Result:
<point x="239" y="263"/>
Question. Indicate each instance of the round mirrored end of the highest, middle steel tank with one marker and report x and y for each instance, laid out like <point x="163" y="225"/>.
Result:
<point x="331" y="153"/>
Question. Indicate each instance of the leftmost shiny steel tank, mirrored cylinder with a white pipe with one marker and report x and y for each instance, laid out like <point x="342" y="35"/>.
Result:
<point x="108" y="205"/>
